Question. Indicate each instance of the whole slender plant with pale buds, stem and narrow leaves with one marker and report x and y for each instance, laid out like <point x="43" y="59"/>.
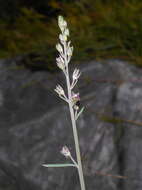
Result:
<point x="65" y="53"/>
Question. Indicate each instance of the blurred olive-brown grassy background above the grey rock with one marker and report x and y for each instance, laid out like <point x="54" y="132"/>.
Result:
<point x="99" y="28"/>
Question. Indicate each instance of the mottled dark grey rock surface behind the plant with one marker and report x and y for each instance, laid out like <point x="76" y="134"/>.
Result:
<point x="35" y="124"/>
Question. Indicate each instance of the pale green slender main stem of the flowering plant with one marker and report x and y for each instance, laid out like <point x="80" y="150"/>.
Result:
<point x="75" y="134"/>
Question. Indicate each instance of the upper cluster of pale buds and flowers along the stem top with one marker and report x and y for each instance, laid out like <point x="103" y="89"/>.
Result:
<point x="65" y="52"/>
